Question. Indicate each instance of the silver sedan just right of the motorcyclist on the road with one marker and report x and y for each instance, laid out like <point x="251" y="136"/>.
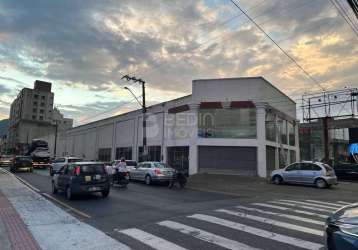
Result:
<point x="150" y="172"/>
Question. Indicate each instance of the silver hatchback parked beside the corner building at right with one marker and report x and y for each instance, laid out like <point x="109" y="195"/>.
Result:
<point x="306" y="172"/>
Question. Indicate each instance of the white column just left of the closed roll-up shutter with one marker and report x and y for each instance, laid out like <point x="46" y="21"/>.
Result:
<point x="193" y="147"/>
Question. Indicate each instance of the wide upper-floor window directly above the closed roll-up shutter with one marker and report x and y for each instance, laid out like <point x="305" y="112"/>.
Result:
<point x="227" y="123"/>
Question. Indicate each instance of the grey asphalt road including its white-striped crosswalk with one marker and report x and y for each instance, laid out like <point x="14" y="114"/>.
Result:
<point x="155" y="217"/>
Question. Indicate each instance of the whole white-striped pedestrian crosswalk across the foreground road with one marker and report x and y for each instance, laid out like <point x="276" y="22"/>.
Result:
<point x="274" y="224"/>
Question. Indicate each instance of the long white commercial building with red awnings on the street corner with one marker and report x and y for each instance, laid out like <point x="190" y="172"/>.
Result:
<point x="236" y="126"/>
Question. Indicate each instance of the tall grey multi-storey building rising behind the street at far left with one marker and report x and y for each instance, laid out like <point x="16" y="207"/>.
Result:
<point x="32" y="115"/>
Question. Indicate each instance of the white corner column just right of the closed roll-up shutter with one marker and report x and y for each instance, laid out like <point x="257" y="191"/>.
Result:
<point x="261" y="139"/>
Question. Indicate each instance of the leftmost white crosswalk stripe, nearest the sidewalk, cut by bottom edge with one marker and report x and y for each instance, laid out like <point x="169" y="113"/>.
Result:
<point x="150" y="239"/>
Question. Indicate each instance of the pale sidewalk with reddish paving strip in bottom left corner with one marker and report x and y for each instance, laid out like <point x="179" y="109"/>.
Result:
<point x="29" y="221"/>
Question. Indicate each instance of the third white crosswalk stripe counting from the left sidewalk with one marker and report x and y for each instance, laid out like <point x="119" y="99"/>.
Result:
<point x="259" y="232"/>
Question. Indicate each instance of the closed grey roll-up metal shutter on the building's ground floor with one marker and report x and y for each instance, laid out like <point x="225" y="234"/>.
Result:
<point x="227" y="159"/>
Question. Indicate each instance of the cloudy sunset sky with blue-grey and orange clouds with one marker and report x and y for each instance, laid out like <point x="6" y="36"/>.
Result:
<point x="84" y="47"/>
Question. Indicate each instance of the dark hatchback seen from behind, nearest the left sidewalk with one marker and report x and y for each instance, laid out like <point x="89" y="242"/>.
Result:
<point x="81" y="178"/>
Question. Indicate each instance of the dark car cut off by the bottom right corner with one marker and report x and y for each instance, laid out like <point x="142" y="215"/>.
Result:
<point x="342" y="229"/>
